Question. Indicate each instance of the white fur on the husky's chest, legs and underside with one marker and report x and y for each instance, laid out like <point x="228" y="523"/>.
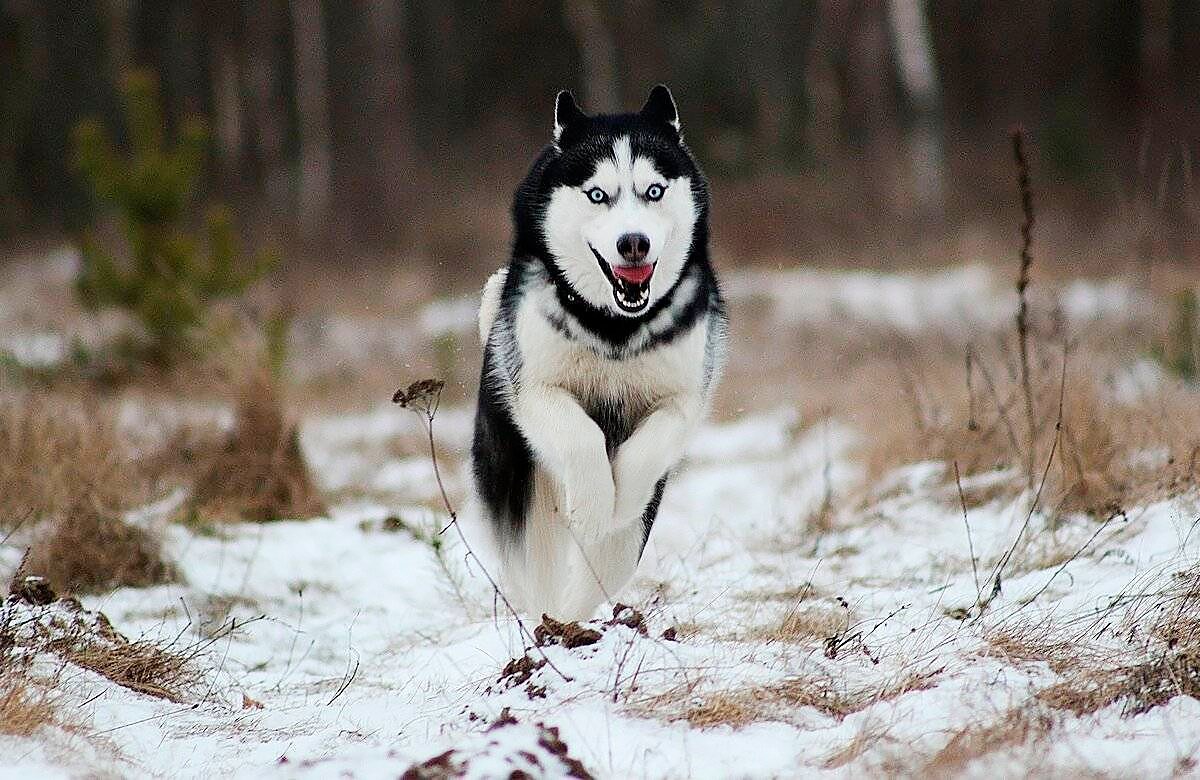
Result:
<point x="584" y="535"/>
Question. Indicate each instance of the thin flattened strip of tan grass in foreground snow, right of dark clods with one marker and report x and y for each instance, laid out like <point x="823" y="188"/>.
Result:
<point x="777" y="701"/>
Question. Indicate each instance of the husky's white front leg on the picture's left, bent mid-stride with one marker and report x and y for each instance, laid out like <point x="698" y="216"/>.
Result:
<point x="572" y="448"/>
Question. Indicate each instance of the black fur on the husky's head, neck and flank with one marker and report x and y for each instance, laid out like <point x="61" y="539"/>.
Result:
<point x="503" y="461"/>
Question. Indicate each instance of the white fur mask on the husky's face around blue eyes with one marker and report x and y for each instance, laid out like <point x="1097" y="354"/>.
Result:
<point x="573" y="225"/>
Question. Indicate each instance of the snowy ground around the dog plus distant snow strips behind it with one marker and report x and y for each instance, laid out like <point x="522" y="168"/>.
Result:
<point x="379" y="652"/>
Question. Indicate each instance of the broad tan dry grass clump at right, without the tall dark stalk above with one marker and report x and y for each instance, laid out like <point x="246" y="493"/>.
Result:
<point x="1100" y="452"/>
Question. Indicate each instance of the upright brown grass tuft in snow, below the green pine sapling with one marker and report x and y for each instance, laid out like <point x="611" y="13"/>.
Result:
<point x="259" y="472"/>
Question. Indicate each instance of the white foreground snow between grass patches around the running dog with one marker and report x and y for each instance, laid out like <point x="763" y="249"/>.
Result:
<point x="368" y="661"/>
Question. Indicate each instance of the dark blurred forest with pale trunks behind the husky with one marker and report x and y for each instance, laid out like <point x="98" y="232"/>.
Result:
<point x="387" y="125"/>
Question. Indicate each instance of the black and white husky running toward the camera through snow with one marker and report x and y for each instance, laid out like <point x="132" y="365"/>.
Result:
<point x="604" y="339"/>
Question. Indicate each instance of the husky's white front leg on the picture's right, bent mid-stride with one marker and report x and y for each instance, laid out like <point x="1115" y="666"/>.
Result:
<point x="649" y="454"/>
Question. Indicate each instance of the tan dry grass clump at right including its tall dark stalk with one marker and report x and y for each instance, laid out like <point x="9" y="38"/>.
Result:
<point x="1035" y="400"/>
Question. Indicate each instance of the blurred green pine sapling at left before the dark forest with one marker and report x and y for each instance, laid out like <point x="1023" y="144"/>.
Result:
<point x="167" y="283"/>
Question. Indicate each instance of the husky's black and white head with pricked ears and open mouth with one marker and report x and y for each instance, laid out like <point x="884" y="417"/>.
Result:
<point x="623" y="199"/>
